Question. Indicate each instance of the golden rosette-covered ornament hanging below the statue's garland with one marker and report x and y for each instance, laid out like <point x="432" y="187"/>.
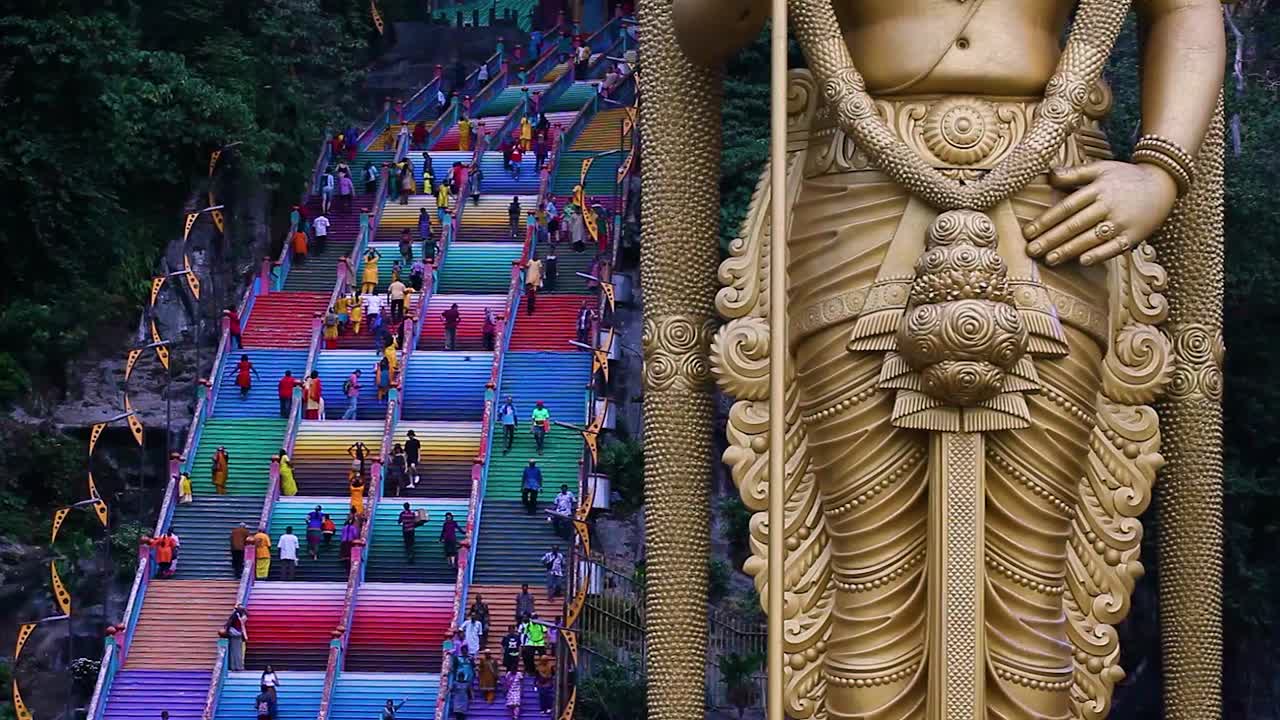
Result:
<point x="961" y="354"/>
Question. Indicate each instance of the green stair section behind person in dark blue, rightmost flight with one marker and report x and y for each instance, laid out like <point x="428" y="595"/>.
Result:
<point x="559" y="462"/>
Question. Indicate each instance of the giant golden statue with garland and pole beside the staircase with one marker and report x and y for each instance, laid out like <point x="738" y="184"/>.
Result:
<point x="998" y="334"/>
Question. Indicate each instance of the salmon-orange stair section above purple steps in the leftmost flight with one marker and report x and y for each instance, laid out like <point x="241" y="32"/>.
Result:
<point x="180" y="623"/>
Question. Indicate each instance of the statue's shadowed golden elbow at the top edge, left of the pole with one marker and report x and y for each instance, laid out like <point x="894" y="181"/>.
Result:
<point x="711" y="31"/>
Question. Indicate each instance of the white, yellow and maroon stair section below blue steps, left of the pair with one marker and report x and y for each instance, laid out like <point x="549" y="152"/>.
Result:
<point x="321" y="454"/>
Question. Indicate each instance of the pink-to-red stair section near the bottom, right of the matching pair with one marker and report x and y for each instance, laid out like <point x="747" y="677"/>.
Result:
<point x="400" y="627"/>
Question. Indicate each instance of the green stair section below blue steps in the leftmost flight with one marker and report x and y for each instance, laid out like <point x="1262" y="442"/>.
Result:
<point x="250" y="445"/>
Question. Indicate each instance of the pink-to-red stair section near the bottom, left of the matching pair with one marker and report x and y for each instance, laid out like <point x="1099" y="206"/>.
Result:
<point x="290" y="623"/>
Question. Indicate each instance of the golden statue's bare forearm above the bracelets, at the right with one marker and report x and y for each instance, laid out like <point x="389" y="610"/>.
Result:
<point x="1183" y="65"/>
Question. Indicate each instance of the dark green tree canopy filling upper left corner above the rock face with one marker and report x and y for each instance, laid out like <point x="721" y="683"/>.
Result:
<point x="113" y="111"/>
